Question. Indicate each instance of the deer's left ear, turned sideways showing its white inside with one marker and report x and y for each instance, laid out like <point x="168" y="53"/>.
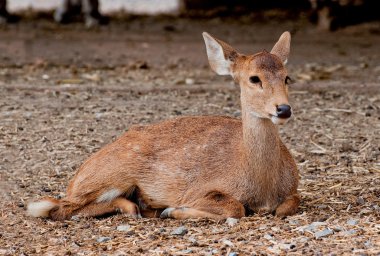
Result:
<point x="220" y="55"/>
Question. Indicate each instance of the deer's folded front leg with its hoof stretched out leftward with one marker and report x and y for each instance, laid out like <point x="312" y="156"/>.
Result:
<point x="213" y="205"/>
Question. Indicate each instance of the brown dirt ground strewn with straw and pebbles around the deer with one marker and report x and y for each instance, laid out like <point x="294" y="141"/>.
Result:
<point x="66" y="91"/>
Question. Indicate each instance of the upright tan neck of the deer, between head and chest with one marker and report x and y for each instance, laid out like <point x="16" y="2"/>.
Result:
<point x="261" y="145"/>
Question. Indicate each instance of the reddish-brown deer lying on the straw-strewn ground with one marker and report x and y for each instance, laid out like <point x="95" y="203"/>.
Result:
<point x="214" y="167"/>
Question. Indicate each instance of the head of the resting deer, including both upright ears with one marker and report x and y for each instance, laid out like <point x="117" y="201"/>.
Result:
<point x="262" y="77"/>
